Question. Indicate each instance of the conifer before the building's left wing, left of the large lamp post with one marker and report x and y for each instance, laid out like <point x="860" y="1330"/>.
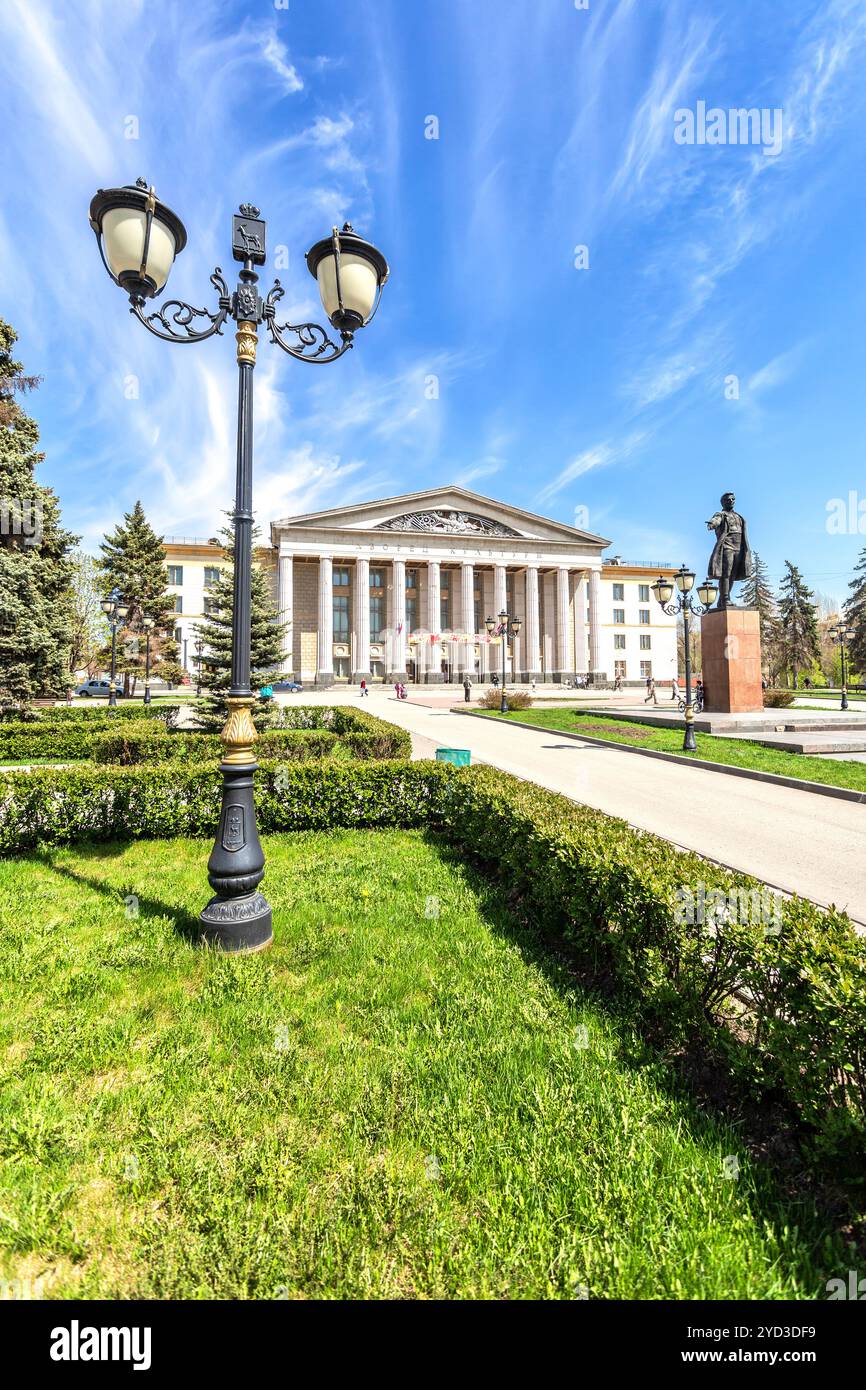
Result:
<point x="134" y="561"/>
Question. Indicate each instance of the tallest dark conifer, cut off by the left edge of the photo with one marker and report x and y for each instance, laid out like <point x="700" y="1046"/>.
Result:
<point x="35" y="569"/>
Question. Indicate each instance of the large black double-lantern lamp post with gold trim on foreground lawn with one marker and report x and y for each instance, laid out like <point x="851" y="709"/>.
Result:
<point x="138" y="240"/>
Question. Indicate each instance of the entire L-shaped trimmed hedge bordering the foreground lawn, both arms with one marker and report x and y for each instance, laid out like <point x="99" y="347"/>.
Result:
<point x="782" y="1000"/>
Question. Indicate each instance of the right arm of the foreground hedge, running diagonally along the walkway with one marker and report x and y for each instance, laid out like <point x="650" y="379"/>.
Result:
<point x="783" y="1000"/>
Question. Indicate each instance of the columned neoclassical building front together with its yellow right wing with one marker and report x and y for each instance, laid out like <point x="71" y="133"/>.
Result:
<point x="400" y="589"/>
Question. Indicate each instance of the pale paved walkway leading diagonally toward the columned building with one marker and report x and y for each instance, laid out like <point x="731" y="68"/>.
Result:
<point x="793" y="840"/>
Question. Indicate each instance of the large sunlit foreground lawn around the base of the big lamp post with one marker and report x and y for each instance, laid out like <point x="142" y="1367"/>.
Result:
<point x="394" y="1102"/>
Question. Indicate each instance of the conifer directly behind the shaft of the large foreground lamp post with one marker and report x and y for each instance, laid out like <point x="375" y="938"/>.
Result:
<point x="216" y="632"/>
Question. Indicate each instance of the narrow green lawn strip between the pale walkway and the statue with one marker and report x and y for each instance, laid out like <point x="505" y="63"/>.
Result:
<point x="737" y="753"/>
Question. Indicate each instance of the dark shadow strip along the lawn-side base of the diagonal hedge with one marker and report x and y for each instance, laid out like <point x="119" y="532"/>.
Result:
<point x="787" y="1193"/>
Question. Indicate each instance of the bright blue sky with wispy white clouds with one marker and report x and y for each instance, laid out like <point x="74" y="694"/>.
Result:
<point x="559" y="389"/>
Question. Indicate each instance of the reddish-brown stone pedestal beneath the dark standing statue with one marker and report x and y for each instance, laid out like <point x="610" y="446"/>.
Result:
<point x="730" y="661"/>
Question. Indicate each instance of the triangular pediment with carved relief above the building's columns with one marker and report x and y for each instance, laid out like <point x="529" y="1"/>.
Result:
<point x="451" y="511"/>
